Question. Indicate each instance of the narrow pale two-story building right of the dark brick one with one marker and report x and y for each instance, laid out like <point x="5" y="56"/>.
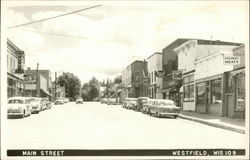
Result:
<point x="155" y="83"/>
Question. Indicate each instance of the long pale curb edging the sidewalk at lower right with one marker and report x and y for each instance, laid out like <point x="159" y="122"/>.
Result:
<point x="212" y="124"/>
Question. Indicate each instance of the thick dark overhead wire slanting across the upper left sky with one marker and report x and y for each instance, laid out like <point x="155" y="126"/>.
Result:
<point x="53" y="17"/>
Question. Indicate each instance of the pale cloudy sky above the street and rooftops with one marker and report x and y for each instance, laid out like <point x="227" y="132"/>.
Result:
<point x="102" y="41"/>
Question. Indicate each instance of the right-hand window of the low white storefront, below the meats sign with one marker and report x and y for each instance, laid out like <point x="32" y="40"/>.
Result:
<point x="216" y="92"/>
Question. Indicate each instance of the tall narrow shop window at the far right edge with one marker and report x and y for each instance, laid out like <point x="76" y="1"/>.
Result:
<point x="240" y="91"/>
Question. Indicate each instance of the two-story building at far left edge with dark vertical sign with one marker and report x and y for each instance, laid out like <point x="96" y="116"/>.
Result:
<point x="15" y="71"/>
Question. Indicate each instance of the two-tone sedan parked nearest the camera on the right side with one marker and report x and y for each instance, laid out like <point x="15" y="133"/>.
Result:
<point x="164" y="108"/>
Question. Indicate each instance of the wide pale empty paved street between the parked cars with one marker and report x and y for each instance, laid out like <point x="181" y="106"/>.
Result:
<point x="93" y="125"/>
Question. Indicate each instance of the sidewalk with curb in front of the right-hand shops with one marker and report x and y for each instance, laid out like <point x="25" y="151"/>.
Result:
<point x="236" y="125"/>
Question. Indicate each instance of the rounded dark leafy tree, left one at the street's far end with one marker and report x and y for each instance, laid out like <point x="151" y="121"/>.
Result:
<point x="71" y="83"/>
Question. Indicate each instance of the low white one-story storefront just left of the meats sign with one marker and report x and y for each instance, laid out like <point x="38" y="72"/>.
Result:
<point x="210" y="84"/>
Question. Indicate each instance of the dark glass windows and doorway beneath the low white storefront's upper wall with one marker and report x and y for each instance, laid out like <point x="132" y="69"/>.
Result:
<point x="209" y="97"/>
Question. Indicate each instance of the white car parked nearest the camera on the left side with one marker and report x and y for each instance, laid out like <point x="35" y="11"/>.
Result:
<point x="19" y="106"/>
